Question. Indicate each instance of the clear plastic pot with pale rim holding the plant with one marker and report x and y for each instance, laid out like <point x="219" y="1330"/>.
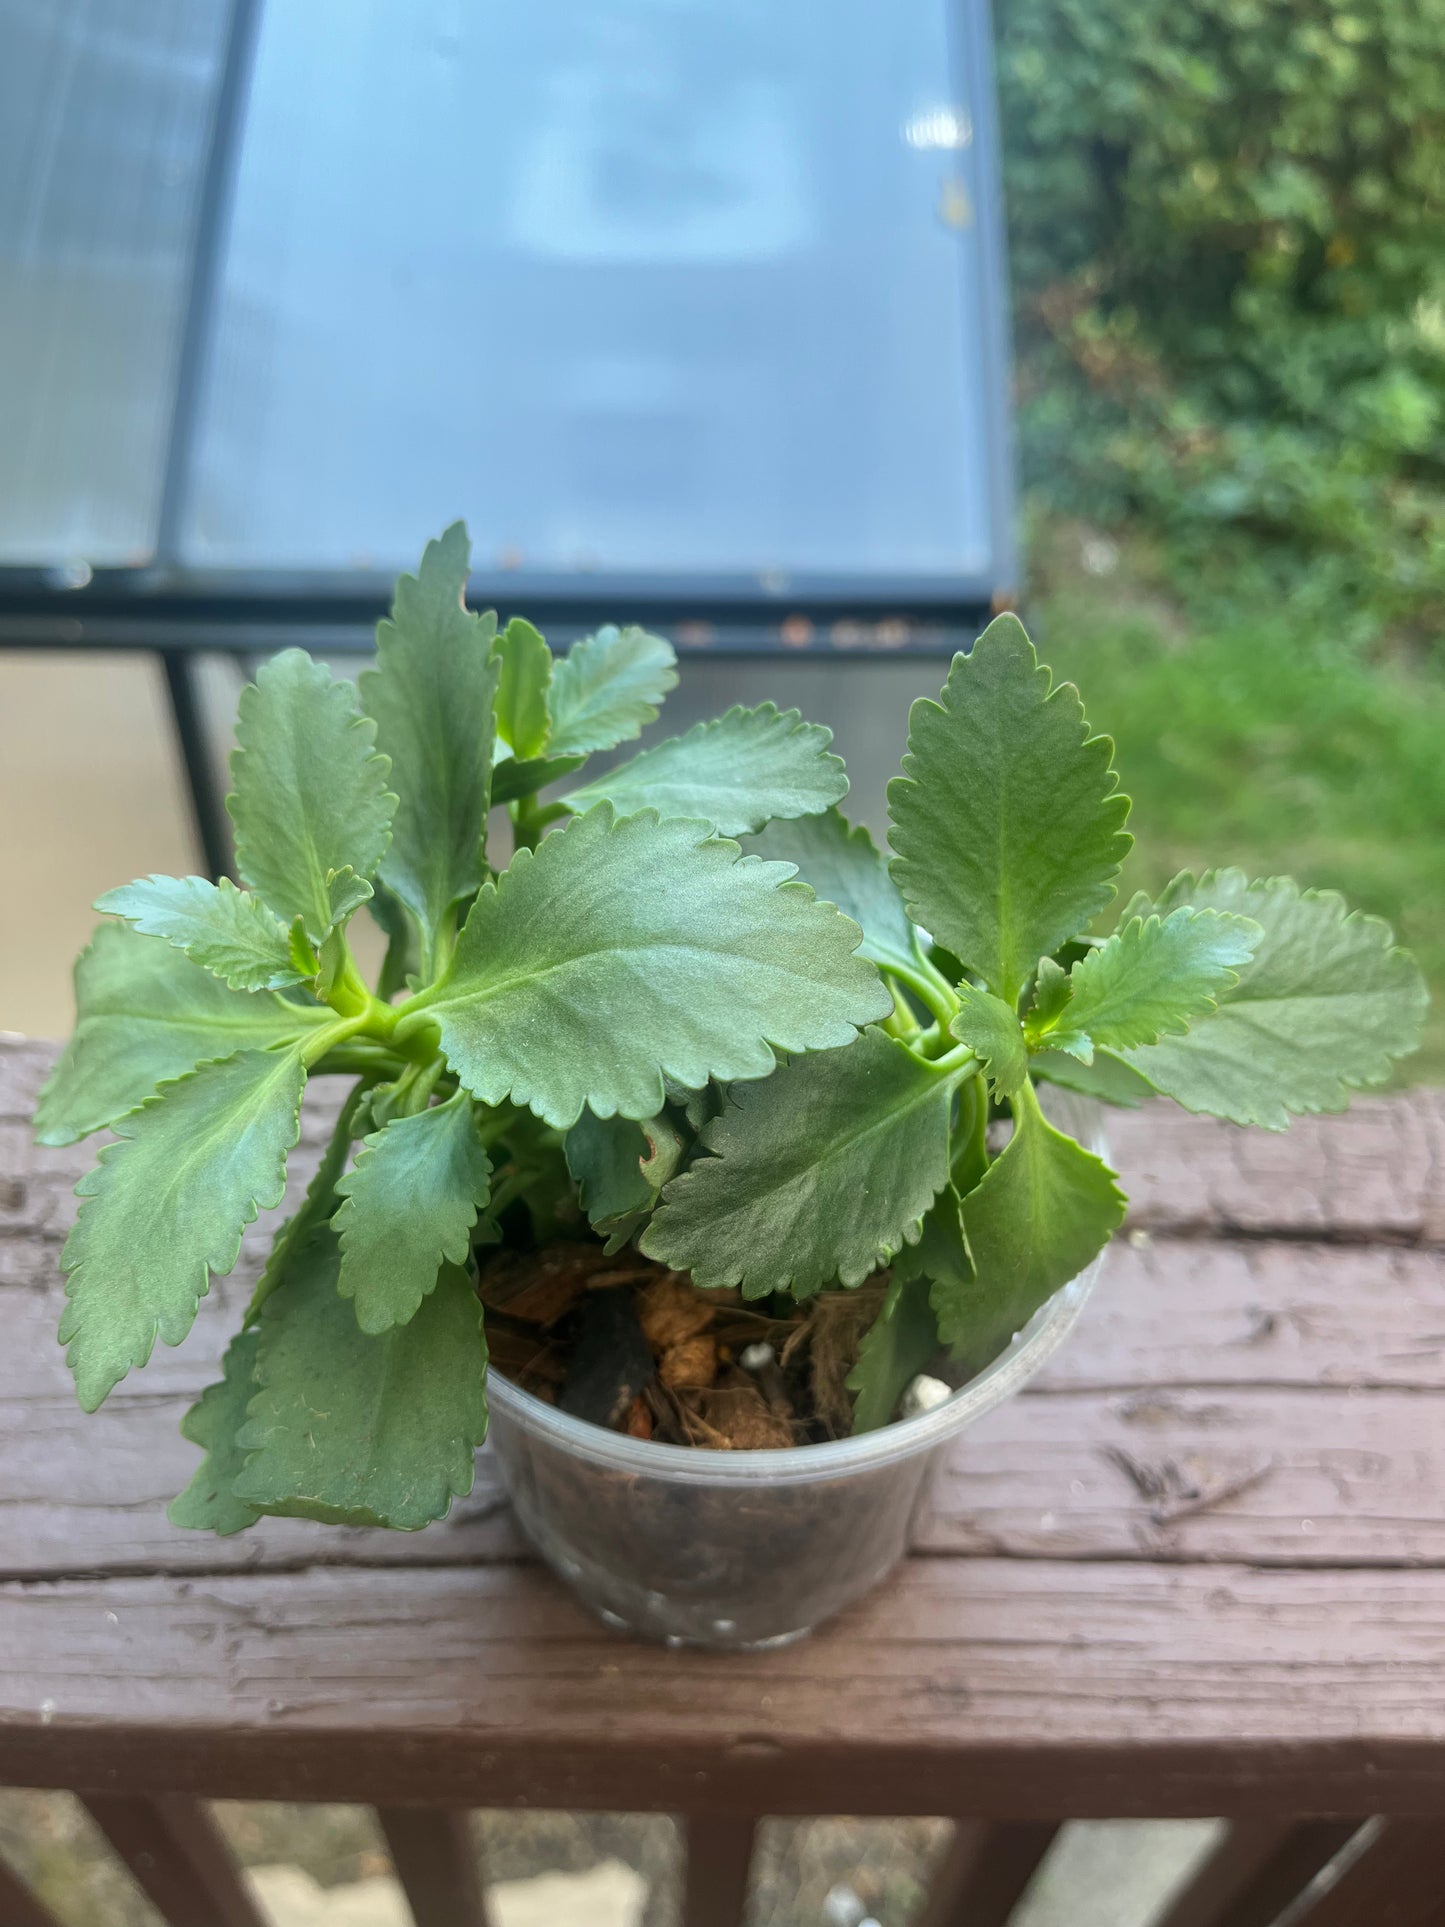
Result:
<point x="747" y="1548"/>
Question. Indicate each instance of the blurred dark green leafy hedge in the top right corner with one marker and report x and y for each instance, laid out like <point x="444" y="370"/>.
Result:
<point x="1228" y="248"/>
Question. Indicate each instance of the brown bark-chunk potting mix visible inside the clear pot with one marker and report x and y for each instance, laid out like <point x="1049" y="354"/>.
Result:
<point x="627" y="1344"/>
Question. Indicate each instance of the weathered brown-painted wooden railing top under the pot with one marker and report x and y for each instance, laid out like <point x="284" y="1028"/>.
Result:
<point x="1199" y="1568"/>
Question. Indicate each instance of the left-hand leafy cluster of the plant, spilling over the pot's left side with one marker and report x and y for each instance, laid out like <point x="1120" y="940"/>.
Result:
<point x="627" y="953"/>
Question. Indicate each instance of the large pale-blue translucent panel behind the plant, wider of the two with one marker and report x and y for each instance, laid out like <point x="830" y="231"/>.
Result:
<point x="644" y="286"/>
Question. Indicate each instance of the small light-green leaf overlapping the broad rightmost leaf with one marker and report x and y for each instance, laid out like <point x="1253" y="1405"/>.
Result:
<point x="1155" y="978"/>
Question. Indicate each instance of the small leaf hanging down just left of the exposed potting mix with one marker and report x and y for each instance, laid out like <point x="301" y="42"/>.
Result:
<point x="409" y="1205"/>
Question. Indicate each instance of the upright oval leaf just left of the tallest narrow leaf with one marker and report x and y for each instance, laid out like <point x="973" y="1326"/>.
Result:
<point x="311" y="793"/>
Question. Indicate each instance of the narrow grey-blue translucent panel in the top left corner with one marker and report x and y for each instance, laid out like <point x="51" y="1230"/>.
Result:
<point x="105" y="119"/>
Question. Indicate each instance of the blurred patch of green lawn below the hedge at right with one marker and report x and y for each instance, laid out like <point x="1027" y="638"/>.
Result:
<point x="1255" y="743"/>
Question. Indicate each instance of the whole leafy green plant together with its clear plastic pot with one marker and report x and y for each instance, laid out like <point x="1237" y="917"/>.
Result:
<point x="644" y="1101"/>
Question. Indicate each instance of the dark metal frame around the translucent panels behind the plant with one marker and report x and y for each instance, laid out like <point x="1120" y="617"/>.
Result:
<point x="180" y="614"/>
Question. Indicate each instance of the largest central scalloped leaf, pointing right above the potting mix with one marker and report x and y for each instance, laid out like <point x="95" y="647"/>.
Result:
<point x="623" y="951"/>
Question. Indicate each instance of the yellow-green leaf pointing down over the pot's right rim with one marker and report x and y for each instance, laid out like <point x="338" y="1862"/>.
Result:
<point x="1043" y="1209"/>
